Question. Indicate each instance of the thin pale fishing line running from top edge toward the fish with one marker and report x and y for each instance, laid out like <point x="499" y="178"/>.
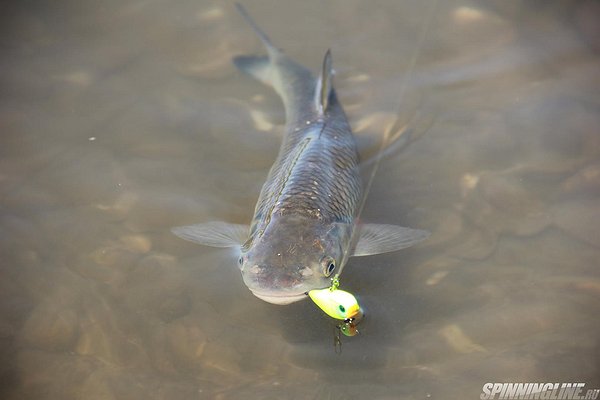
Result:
<point x="387" y="138"/>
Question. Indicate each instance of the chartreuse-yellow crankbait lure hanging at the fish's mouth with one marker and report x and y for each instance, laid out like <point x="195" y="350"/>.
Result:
<point x="337" y="303"/>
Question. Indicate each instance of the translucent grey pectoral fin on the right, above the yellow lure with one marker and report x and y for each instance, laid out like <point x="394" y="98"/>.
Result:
<point x="382" y="238"/>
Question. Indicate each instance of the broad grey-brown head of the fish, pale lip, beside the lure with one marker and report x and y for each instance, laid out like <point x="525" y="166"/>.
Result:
<point x="292" y="257"/>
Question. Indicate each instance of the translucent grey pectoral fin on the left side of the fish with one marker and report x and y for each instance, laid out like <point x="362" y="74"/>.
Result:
<point x="215" y="234"/>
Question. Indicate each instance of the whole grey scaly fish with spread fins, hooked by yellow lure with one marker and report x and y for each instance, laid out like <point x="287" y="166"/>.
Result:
<point x="305" y="225"/>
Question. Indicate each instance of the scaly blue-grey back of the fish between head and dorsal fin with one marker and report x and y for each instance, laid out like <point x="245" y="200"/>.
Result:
<point x="324" y="153"/>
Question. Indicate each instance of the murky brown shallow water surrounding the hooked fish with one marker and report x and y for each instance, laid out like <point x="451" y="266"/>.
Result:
<point x="120" y="120"/>
